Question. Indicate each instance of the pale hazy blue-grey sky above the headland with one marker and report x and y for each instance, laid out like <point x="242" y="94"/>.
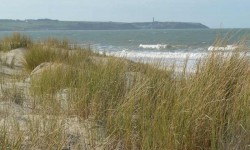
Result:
<point x="213" y="13"/>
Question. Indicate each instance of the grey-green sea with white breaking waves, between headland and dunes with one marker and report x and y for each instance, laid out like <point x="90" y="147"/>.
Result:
<point x="165" y="46"/>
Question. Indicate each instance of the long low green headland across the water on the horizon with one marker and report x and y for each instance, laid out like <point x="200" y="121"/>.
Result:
<point x="48" y="24"/>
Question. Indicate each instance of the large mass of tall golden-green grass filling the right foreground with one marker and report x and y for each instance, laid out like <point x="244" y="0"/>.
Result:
<point x="208" y="109"/>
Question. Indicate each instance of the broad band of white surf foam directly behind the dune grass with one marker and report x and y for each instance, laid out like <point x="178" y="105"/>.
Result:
<point x="165" y="58"/>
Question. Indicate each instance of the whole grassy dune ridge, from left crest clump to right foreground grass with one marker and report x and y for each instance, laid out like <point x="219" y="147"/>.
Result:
<point x="141" y="107"/>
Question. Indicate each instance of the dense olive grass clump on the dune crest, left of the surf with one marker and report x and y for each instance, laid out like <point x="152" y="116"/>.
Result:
<point x="53" y="50"/>
